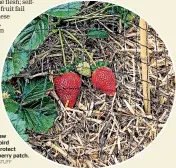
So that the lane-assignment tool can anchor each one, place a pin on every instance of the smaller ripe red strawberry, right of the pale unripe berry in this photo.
(103, 79)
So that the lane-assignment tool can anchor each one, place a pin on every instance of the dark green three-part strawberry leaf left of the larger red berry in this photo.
(36, 109)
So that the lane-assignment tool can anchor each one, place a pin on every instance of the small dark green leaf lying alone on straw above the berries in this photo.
(99, 34)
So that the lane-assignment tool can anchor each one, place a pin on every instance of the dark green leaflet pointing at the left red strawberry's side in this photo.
(36, 89)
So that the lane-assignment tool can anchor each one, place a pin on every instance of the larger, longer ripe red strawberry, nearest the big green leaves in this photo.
(67, 87)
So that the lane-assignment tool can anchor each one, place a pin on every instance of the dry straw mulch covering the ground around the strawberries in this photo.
(102, 130)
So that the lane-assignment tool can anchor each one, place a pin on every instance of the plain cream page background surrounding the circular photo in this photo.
(160, 14)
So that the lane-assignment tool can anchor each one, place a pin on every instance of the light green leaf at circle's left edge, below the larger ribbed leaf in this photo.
(14, 64)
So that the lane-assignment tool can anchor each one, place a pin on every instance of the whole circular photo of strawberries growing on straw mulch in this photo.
(88, 84)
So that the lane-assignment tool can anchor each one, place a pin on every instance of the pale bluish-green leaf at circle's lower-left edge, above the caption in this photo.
(19, 125)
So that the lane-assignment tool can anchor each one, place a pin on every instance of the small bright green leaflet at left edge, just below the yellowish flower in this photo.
(11, 105)
